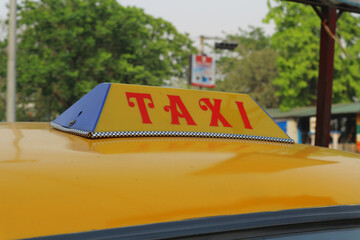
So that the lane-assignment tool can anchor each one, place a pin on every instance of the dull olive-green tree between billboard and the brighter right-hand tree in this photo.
(252, 69)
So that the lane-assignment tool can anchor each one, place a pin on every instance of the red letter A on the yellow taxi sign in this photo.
(175, 103)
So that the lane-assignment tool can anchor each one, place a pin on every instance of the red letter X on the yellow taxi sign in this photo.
(215, 112)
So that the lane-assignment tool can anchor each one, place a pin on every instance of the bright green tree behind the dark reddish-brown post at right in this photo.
(297, 40)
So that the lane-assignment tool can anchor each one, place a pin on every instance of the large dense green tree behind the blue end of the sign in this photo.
(67, 47)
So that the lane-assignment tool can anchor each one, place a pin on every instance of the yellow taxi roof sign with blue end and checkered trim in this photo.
(121, 110)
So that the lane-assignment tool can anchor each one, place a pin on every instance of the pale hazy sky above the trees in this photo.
(213, 18)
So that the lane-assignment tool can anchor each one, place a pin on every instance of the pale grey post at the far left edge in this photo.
(11, 66)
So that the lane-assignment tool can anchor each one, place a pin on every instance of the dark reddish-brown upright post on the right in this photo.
(326, 69)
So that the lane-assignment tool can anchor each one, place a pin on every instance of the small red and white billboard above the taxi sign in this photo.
(202, 71)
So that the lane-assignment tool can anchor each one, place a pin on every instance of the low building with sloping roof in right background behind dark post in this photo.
(300, 124)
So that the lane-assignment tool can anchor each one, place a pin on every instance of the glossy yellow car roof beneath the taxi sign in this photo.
(55, 183)
